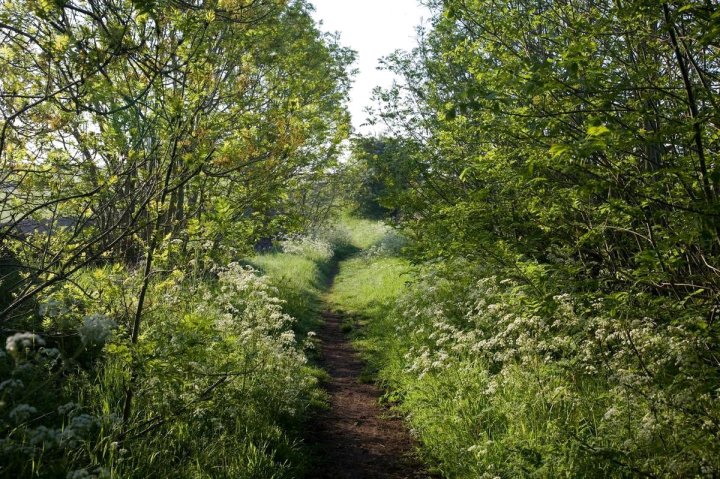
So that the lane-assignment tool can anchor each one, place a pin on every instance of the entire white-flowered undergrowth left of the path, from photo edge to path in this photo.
(221, 380)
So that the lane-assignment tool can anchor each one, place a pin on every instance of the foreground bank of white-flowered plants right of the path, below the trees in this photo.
(501, 380)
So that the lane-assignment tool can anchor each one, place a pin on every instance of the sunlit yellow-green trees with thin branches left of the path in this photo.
(138, 136)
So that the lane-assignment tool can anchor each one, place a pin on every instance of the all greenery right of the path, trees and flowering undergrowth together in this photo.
(559, 171)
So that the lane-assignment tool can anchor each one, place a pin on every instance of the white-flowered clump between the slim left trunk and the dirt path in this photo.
(224, 380)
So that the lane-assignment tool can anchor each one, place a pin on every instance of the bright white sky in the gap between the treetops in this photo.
(373, 28)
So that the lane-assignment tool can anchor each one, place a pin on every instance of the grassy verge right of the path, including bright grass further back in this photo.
(492, 380)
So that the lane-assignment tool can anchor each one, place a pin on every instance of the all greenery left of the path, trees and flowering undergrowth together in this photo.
(145, 149)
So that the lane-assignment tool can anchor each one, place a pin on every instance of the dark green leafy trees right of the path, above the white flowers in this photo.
(568, 145)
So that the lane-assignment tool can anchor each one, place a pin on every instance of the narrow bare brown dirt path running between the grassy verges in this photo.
(356, 438)
